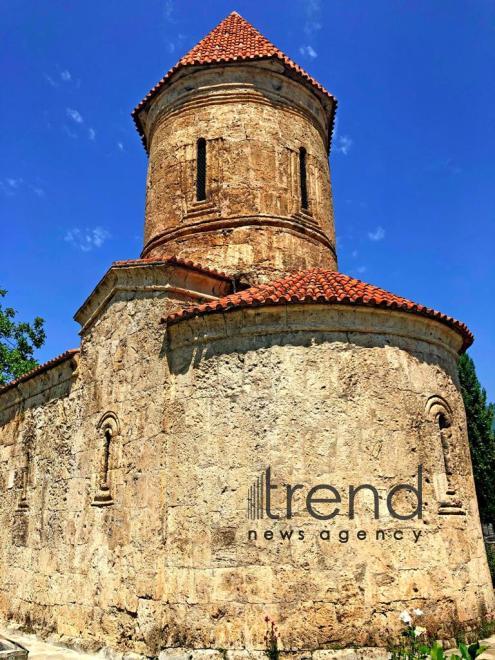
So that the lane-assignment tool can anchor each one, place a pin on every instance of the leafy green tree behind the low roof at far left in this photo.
(17, 343)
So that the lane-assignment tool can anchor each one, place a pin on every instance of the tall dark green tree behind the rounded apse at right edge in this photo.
(480, 420)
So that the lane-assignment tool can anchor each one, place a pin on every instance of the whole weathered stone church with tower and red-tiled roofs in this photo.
(125, 465)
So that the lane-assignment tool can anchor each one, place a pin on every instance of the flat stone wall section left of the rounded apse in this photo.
(82, 572)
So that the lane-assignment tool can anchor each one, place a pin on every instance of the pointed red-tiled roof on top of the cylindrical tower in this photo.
(232, 40)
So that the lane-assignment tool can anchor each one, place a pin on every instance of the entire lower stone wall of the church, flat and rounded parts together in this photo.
(202, 408)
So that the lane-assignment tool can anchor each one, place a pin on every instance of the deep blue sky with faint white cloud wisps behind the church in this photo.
(412, 163)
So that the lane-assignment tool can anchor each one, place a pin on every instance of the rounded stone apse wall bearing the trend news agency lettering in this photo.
(327, 396)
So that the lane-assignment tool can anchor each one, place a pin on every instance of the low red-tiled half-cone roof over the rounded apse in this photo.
(319, 286)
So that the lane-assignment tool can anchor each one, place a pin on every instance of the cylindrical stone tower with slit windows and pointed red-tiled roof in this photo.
(238, 178)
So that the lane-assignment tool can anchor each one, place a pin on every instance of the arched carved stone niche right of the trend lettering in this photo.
(440, 413)
